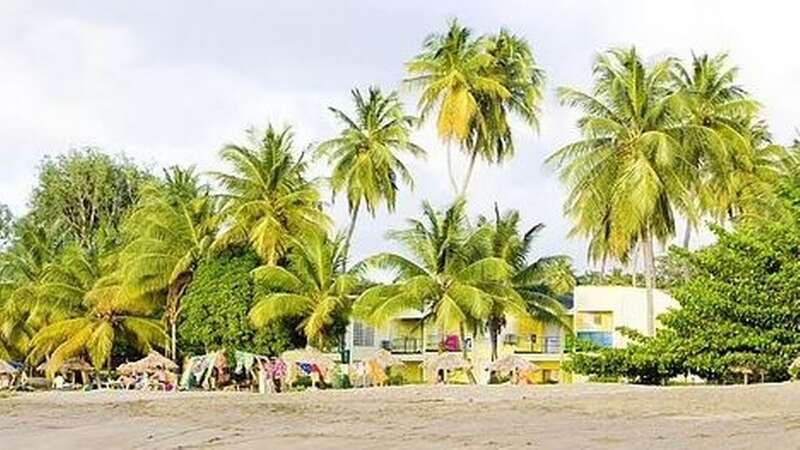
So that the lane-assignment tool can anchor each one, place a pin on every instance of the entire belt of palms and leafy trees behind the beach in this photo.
(112, 259)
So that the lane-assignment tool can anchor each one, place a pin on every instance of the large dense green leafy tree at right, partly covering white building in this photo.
(739, 309)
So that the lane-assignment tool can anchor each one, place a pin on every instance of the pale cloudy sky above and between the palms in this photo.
(172, 82)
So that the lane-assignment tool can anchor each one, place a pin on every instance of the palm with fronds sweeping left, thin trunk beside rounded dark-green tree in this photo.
(171, 231)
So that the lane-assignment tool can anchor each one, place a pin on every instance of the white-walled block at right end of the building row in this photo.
(600, 311)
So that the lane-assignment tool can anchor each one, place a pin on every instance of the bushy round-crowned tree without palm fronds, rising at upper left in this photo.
(86, 194)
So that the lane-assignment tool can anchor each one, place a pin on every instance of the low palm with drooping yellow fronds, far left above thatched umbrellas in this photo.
(112, 317)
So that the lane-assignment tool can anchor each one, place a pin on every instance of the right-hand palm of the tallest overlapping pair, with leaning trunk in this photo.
(511, 63)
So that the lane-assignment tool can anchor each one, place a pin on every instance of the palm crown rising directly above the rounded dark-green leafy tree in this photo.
(267, 199)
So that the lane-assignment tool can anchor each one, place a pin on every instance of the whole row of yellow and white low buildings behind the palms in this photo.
(597, 313)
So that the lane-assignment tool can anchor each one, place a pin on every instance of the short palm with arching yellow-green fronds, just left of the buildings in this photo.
(312, 286)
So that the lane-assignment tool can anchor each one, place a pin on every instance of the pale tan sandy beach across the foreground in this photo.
(413, 417)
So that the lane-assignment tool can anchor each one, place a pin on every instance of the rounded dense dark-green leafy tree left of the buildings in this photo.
(215, 308)
